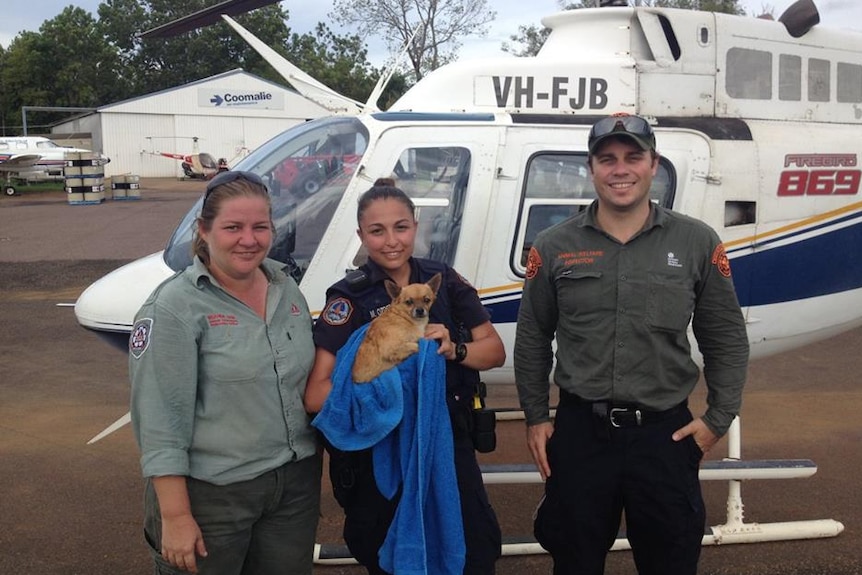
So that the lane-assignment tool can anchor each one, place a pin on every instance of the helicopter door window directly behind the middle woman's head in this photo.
(436, 180)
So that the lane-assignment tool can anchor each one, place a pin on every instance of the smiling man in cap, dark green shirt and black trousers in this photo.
(617, 286)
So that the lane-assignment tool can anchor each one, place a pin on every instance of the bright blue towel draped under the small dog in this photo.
(402, 413)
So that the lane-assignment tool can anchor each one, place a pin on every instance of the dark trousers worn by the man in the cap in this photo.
(599, 472)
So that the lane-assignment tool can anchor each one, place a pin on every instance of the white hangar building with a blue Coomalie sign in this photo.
(225, 115)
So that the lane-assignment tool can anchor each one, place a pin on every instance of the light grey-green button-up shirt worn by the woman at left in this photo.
(216, 390)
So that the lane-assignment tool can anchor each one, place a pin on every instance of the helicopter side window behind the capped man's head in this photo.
(558, 186)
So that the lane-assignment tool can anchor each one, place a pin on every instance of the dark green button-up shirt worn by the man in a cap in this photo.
(620, 313)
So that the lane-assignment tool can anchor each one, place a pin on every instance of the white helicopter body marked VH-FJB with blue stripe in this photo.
(758, 133)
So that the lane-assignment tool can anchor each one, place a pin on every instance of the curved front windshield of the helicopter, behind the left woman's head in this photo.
(307, 168)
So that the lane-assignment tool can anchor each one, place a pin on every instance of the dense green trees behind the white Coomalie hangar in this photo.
(75, 60)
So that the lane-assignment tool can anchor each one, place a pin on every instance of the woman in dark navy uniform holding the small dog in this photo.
(468, 341)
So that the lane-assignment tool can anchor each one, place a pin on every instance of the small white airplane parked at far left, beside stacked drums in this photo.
(34, 158)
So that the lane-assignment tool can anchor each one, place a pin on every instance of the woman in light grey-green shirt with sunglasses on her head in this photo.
(219, 356)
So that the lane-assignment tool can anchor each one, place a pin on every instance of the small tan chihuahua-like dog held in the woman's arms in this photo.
(394, 335)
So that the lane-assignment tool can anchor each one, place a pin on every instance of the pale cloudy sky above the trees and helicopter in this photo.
(16, 16)
